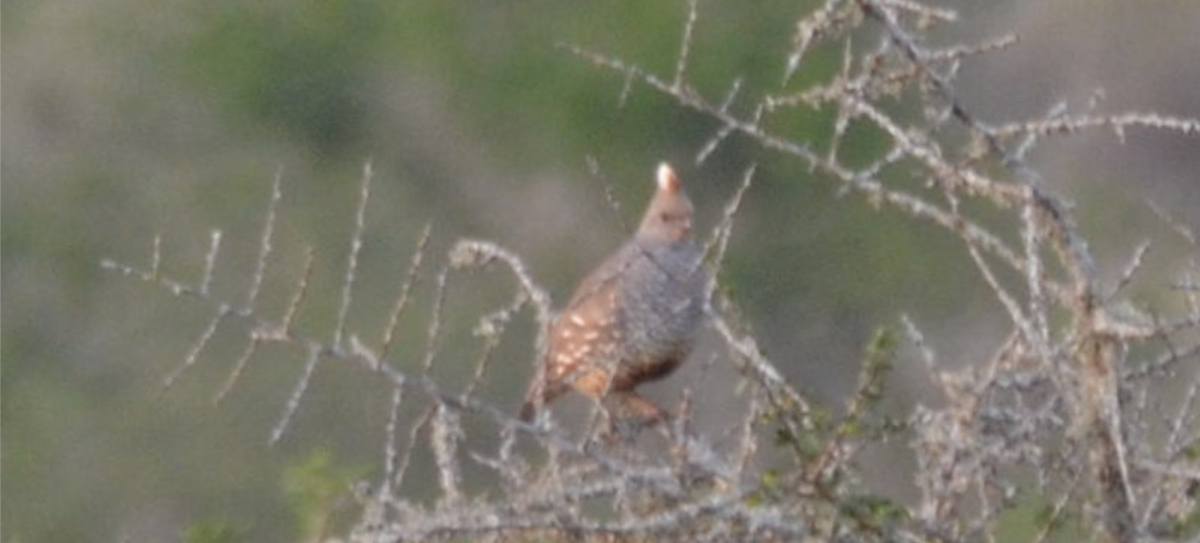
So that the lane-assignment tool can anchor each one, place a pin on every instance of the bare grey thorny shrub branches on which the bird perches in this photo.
(1069, 396)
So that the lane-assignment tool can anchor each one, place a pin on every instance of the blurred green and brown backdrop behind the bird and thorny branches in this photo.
(124, 118)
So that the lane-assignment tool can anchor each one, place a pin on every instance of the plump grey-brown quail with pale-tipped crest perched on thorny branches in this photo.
(634, 319)
